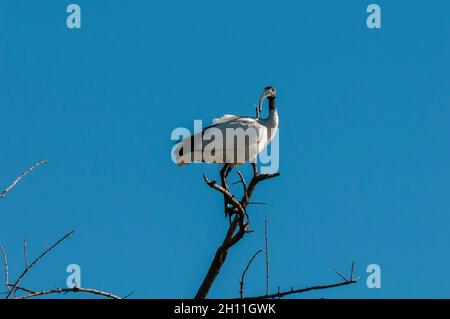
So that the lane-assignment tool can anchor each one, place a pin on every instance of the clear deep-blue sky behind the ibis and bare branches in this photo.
(364, 134)
